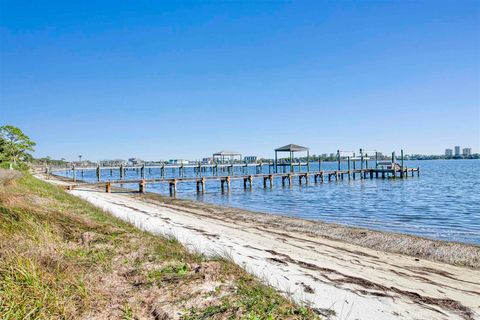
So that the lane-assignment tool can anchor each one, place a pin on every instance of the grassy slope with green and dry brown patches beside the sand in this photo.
(61, 257)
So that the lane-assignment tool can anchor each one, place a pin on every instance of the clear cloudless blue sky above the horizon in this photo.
(161, 80)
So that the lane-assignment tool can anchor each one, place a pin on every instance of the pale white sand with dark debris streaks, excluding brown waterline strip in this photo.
(353, 281)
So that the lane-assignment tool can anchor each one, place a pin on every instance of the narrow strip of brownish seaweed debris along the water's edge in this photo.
(445, 251)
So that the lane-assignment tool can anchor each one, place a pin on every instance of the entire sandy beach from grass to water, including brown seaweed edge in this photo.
(342, 279)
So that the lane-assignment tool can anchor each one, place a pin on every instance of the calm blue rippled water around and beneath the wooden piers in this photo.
(443, 203)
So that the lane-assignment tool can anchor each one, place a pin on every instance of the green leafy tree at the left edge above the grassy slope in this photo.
(14, 145)
